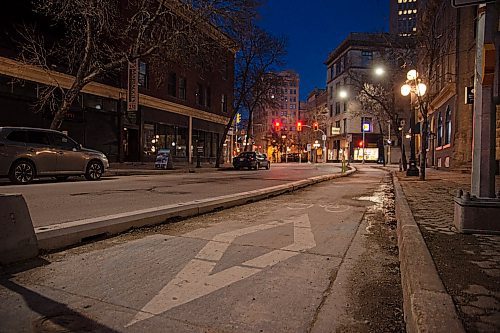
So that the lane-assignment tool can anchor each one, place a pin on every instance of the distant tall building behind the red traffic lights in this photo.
(275, 127)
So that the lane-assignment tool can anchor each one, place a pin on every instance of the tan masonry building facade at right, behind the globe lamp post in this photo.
(450, 117)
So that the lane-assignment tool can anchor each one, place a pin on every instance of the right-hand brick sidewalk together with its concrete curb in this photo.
(438, 264)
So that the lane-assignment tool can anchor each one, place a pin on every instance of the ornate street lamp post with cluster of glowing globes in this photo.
(413, 86)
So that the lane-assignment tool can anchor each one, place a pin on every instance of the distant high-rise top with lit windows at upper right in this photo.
(403, 17)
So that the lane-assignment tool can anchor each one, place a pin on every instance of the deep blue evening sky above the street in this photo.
(316, 27)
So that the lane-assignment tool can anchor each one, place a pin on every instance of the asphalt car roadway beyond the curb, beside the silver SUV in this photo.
(51, 202)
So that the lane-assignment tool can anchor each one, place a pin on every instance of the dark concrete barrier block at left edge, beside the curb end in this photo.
(17, 236)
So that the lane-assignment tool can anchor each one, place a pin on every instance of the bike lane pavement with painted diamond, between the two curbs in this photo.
(277, 265)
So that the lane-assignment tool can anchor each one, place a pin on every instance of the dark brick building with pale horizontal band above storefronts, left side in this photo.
(178, 107)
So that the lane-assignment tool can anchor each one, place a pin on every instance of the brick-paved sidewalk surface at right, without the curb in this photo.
(468, 265)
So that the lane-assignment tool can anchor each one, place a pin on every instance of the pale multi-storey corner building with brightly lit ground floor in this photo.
(346, 118)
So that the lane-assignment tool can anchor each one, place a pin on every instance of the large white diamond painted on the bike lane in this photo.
(195, 281)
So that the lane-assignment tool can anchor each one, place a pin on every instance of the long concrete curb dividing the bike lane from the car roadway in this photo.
(70, 233)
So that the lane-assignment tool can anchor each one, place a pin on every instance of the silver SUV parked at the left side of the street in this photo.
(26, 153)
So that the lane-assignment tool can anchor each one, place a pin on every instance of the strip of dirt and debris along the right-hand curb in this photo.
(375, 280)
